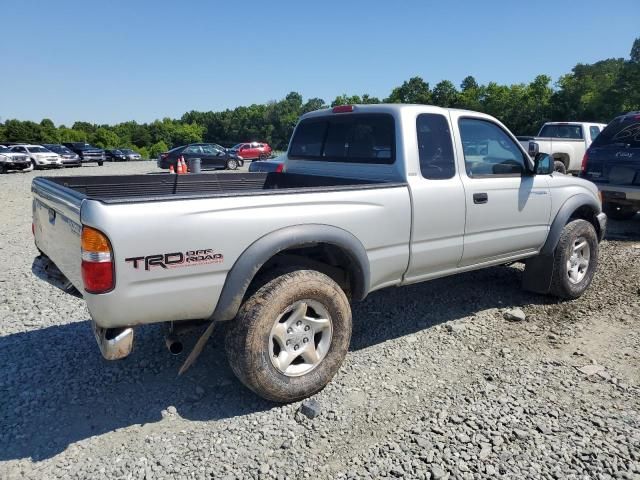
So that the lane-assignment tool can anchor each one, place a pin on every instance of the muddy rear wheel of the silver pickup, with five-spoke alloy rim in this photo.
(291, 336)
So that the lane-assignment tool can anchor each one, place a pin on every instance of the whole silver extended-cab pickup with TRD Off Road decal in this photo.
(370, 197)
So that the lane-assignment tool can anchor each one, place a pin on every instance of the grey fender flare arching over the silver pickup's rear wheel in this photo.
(262, 250)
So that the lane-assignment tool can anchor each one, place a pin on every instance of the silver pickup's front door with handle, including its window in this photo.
(508, 208)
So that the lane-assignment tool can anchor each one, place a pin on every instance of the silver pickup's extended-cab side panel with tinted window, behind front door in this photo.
(438, 199)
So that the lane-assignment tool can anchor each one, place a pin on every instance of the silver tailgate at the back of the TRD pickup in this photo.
(57, 228)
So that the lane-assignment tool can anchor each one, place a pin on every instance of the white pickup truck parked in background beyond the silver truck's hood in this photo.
(565, 142)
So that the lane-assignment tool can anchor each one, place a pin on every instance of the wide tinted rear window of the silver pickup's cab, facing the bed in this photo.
(356, 138)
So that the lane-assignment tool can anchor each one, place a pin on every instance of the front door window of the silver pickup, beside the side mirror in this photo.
(488, 150)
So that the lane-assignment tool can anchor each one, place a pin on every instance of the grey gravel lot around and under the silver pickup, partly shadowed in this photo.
(437, 385)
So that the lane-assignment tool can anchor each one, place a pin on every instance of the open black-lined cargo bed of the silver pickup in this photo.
(149, 188)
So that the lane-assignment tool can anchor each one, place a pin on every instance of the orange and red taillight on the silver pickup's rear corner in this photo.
(97, 261)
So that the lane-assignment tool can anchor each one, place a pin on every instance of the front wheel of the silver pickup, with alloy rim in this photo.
(575, 260)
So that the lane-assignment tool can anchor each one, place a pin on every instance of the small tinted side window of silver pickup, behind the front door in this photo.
(435, 149)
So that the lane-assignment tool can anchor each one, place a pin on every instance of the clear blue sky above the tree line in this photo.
(107, 62)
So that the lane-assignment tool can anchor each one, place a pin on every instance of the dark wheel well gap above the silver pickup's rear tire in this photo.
(326, 258)
